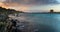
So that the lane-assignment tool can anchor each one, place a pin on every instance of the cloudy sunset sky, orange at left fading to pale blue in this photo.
(31, 5)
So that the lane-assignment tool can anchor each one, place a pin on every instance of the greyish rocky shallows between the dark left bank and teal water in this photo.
(23, 25)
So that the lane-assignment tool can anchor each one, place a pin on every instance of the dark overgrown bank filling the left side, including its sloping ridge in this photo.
(5, 24)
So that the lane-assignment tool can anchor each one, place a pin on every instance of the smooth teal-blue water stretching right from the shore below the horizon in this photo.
(43, 22)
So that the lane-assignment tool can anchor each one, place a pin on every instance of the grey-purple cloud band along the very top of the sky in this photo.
(34, 1)
